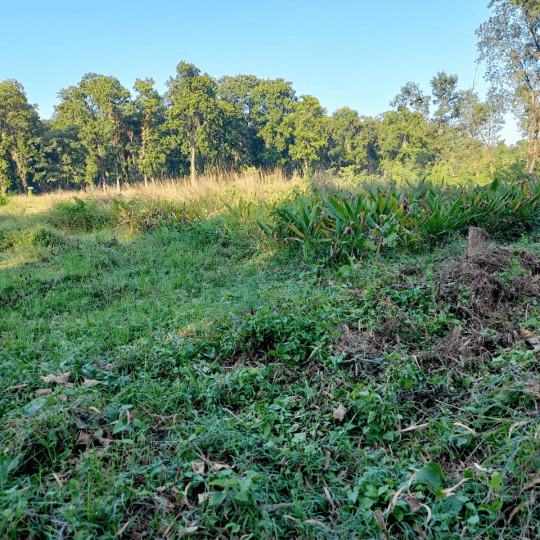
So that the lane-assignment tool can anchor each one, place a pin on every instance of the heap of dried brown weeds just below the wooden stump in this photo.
(488, 304)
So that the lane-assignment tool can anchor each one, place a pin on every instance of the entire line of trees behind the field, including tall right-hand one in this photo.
(102, 134)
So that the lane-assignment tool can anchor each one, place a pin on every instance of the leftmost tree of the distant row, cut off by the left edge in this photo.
(19, 128)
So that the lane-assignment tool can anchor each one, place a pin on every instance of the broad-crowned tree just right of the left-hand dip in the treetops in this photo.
(97, 106)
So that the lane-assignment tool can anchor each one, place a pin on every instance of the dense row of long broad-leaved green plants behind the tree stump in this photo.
(346, 225)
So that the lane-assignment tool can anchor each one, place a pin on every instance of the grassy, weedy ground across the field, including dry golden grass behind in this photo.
(166, 369)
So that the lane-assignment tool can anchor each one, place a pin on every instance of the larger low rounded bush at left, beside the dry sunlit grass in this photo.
(80, 215)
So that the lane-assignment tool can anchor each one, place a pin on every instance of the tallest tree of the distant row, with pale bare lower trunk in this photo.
(193, 108)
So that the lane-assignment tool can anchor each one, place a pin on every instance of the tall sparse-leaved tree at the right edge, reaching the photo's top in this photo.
(509, 43)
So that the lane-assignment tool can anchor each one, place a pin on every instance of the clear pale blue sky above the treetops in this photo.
(355, 53)
